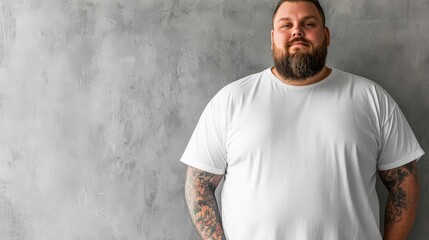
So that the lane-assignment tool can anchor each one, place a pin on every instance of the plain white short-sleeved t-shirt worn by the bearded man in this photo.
(300, 162)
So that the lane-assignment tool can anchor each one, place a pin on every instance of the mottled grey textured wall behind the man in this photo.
(98, 99)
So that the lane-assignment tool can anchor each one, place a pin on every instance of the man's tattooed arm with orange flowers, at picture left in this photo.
(200, 189)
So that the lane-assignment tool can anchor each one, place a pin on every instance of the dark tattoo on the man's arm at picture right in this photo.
(397, 201)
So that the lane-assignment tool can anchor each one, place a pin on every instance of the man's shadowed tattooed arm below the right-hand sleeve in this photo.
(401, 208)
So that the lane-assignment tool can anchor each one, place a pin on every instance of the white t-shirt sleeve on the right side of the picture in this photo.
(399, 145)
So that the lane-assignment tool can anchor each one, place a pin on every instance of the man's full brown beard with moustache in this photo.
(300, 66)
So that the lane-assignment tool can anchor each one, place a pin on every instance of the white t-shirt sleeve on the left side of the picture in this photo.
(206, 149)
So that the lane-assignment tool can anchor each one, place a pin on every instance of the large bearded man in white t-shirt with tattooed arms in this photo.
(299, 146)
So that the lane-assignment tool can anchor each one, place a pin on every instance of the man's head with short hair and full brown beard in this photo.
(299, 40)
